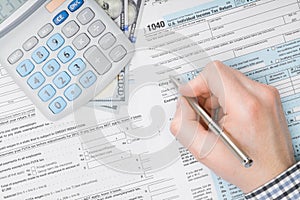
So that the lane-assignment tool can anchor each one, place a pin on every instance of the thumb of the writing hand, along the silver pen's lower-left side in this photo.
(203, 144)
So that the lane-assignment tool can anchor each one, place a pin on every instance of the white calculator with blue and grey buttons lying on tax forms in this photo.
(61, 53)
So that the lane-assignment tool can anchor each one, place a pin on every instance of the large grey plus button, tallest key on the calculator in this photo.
(97, 60)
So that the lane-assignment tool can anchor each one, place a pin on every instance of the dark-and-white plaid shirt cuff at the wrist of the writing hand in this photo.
(286, 186)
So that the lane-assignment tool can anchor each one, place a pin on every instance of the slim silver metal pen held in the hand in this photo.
(215, 128)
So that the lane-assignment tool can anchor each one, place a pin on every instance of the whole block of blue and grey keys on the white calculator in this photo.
(64, 77)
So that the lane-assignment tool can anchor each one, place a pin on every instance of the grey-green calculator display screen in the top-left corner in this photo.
(8, 7)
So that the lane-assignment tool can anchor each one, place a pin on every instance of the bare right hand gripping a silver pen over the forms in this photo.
(252, 114)
